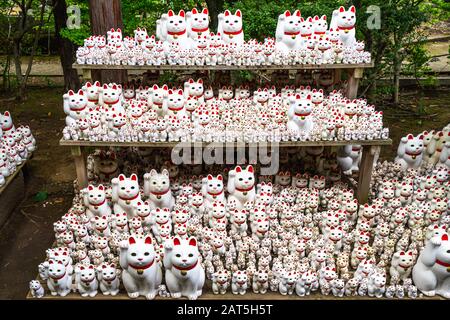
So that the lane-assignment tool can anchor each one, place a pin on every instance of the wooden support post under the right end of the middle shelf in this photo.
(365, 172)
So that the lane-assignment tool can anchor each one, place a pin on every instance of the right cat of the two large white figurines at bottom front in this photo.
(185, 275)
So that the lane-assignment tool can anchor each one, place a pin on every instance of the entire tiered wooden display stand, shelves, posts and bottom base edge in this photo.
(370, 148)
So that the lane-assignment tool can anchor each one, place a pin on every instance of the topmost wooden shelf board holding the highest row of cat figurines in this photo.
(222, 67)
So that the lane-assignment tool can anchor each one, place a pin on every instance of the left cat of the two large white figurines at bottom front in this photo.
(141, 273)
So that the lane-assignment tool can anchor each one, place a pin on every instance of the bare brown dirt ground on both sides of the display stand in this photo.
(29, 231)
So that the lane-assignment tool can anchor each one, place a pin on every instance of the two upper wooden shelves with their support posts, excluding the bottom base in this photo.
(354, 74)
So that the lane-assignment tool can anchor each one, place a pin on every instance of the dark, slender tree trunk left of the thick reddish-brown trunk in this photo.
(66, 48)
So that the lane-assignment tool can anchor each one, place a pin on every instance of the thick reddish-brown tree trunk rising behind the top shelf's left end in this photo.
(104, 15)
